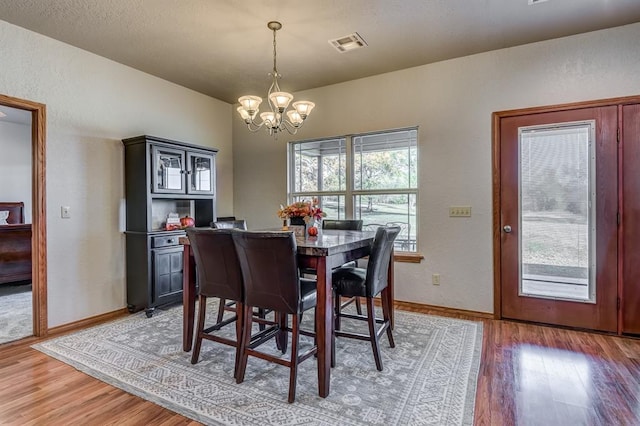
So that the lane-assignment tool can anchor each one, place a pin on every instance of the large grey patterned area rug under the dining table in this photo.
(429, 378)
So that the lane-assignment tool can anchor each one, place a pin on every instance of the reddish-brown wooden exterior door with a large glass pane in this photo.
(558, 217)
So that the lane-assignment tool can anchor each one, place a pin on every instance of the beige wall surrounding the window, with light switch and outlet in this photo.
(452, 103)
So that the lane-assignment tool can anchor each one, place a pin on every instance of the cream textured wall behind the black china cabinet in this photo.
(93, 103)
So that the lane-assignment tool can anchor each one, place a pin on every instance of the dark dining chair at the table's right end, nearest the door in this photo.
(351, 281)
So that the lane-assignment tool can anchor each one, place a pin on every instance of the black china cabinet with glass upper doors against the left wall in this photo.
(162, 177)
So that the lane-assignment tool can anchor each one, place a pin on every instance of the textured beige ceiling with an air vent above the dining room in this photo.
(223, 48)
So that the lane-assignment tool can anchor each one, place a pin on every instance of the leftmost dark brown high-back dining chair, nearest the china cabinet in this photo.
(219, 275)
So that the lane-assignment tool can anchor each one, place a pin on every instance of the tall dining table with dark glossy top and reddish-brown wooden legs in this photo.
(324, 252)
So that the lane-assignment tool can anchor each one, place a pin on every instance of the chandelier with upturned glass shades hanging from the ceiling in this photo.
(274, 120)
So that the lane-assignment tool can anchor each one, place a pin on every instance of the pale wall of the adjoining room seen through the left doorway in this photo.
(15, 165)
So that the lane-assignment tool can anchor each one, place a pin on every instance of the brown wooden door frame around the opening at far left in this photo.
(38, 209)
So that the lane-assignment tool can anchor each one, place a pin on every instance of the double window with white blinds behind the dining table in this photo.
(373, 177)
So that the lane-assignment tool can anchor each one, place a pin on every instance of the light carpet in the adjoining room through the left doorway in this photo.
(16, 313)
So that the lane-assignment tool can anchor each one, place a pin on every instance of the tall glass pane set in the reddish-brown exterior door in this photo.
(557, 208)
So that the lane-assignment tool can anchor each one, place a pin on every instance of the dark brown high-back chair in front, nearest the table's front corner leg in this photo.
(272, 280)
